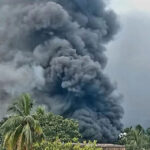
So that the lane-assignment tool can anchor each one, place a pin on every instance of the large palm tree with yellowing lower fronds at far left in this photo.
(21, 128)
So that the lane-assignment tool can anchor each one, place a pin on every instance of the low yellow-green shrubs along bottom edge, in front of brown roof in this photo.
(57, 145)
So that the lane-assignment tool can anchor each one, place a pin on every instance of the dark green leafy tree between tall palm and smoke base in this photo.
(55, 126)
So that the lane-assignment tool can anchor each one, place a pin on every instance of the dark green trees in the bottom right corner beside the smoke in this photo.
(136, 138)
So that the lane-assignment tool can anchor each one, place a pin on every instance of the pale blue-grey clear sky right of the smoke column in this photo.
(129, 59)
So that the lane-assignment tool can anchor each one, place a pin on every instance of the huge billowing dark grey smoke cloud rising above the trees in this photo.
(54, 49)
